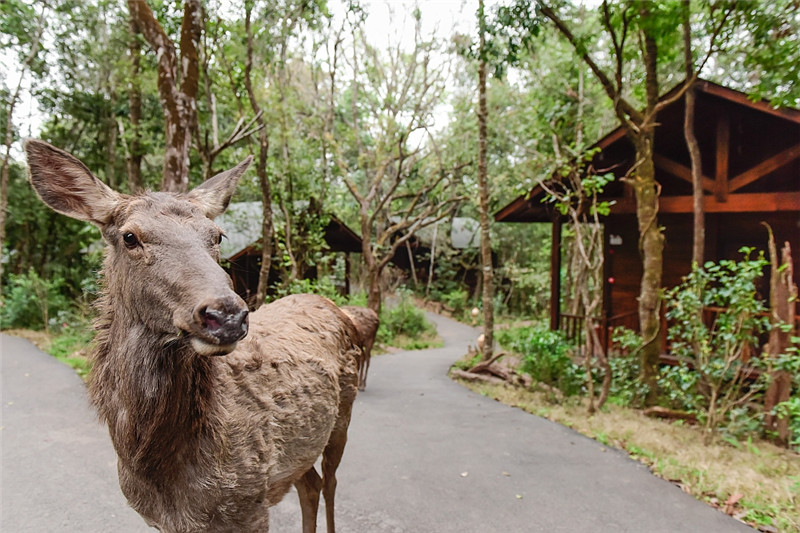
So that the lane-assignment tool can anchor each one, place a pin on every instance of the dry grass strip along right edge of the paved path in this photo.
(764, 476)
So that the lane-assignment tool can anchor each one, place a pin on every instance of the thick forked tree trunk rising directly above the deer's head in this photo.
(179, 102)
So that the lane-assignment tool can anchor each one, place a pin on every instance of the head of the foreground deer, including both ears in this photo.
(162, 266)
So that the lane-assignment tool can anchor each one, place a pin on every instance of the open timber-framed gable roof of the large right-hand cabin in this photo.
(750, 159)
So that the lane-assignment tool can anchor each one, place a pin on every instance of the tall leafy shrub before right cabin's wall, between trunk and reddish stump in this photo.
(716, 318)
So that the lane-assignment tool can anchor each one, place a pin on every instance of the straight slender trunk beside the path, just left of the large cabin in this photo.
(483, 184)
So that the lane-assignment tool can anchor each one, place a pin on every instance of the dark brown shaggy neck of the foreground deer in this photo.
(156, 395)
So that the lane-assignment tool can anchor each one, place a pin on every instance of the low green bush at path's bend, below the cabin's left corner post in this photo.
(546, 357)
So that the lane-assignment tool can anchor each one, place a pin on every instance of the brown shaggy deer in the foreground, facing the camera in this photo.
(214, 412)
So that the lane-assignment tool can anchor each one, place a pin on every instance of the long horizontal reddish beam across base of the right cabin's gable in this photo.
(769, 202)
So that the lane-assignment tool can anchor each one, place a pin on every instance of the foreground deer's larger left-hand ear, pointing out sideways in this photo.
(67, 186)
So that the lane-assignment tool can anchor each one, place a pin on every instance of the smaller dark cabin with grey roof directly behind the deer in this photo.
(241, 250)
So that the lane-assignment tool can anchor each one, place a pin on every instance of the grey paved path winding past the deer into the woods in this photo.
(413, 437)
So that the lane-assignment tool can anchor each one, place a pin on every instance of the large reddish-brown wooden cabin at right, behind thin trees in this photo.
(750, 155)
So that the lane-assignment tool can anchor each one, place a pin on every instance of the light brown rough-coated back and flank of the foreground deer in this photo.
(292, 370)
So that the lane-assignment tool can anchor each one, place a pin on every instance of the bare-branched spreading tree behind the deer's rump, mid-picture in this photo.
(393, 95)
